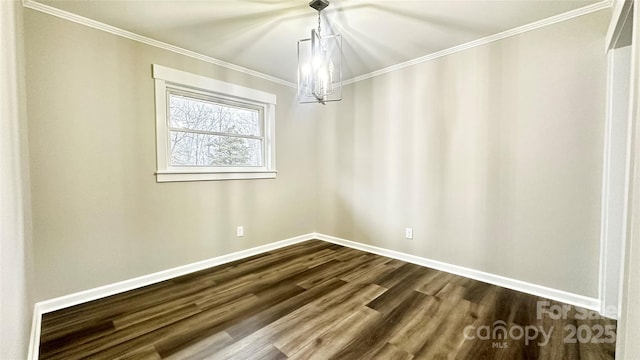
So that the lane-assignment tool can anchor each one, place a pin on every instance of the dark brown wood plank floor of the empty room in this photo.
(317, 300)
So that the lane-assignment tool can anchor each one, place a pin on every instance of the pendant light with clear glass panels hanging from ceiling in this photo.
(320, 64)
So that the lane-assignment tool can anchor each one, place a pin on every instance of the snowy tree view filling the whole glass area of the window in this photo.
(208, 133)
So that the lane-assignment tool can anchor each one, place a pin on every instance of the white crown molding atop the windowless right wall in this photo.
(489, 39)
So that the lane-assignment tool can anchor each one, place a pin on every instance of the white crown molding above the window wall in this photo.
(50, 10)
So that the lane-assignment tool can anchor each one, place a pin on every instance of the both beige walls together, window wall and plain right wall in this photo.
(493, 155)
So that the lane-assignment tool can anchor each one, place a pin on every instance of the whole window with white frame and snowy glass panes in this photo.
(212, 130)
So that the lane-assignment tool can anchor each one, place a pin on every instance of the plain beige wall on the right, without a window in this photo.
(493, 155)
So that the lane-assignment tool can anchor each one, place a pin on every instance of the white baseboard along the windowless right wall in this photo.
(522, 286)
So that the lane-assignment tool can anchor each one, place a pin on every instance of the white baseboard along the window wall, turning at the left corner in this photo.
(62, 302)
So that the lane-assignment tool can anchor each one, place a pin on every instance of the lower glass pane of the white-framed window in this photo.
(192, 149)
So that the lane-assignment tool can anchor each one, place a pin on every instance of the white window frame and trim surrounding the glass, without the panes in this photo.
(170, 80)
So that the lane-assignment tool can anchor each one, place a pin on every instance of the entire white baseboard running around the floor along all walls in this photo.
(46, 306)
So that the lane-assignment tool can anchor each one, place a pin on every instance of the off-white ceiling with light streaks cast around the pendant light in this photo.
(262, 34)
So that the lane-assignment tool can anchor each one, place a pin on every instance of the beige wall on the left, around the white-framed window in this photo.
(98, 214)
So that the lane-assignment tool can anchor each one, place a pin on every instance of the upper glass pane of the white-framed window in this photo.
(196, 114)
